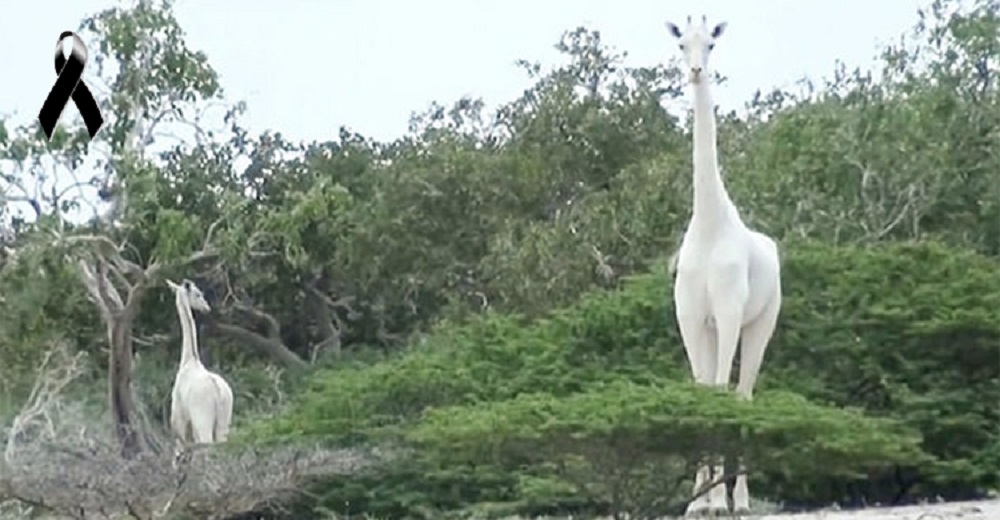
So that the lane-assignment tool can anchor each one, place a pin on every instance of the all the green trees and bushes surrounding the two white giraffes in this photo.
(484, 302)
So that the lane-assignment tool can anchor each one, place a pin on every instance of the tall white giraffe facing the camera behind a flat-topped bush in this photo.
(727, 288)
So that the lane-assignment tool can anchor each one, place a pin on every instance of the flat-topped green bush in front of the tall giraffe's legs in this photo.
(616, 430)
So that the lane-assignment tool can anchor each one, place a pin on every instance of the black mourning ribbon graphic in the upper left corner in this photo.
(68, 86)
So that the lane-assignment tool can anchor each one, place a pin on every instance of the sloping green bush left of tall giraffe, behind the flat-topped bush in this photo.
(497, 357)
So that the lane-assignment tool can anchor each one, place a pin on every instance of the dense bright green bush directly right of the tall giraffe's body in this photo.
(862, 329)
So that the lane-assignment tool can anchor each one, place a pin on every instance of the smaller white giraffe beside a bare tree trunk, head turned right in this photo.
(201, 400)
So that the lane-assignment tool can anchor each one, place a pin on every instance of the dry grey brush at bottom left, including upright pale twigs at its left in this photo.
(61, 462)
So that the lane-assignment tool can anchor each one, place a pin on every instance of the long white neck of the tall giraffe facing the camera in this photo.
(711, 202)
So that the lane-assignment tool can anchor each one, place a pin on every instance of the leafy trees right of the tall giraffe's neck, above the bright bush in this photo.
(907, 151)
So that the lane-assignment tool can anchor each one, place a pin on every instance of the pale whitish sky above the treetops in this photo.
(307, 67)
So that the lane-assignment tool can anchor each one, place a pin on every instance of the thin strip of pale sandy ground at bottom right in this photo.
(973, 510)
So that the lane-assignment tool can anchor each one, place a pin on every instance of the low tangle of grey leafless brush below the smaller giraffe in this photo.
(86, 477)
